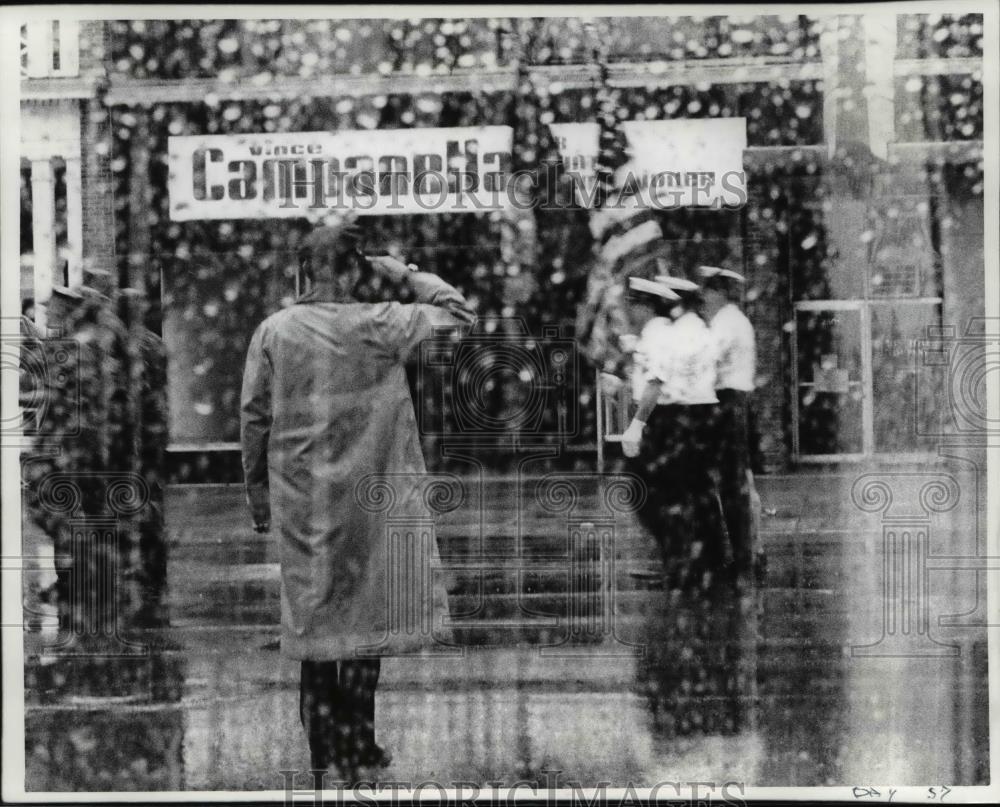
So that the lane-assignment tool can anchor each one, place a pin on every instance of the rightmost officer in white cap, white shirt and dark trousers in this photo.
(735, 372)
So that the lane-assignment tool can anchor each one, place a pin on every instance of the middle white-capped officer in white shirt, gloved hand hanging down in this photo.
(670, 439)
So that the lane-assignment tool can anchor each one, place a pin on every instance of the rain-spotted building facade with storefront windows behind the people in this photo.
(861, 238)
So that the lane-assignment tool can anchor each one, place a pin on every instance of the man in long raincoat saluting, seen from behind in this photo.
(325, 403)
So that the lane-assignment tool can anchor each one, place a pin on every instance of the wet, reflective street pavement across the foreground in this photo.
(542, 671)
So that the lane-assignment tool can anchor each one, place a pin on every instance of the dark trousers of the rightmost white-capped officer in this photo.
(733, 464)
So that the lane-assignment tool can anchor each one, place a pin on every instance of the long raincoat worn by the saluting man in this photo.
(328, 433)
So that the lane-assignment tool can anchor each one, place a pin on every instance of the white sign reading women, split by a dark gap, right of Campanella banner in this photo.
(674, 163)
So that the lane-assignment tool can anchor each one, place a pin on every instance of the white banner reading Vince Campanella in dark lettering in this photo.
(383, 172)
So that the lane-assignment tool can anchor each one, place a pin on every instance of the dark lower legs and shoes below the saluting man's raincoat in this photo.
(337, 706)
